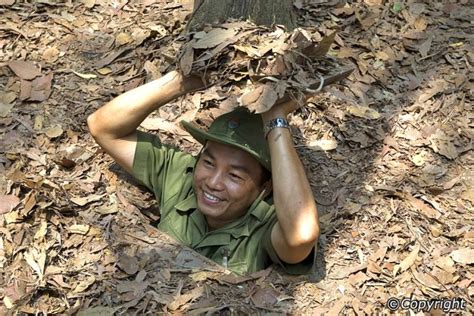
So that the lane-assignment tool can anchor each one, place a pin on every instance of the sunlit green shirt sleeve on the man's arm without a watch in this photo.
(161, 168)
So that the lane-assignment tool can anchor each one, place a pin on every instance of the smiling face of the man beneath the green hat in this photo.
(227, 180)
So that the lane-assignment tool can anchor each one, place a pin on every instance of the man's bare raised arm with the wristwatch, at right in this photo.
(297, 230)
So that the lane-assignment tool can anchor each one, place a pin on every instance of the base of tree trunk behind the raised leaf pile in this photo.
(261, 12)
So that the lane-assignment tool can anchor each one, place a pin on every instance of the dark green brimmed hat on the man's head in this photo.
(238, 128)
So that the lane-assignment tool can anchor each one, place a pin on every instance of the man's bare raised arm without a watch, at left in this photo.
(114, 125)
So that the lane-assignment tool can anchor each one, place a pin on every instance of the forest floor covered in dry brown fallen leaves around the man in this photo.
(394, 186)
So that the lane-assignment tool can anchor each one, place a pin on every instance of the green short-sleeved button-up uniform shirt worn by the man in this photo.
(243, 246)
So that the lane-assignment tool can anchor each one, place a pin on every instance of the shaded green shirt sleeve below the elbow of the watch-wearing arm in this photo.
(304, 267)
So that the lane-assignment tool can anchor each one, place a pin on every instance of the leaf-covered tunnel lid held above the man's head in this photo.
(267, 64)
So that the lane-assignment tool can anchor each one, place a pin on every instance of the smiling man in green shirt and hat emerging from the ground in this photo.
(244, 202)
